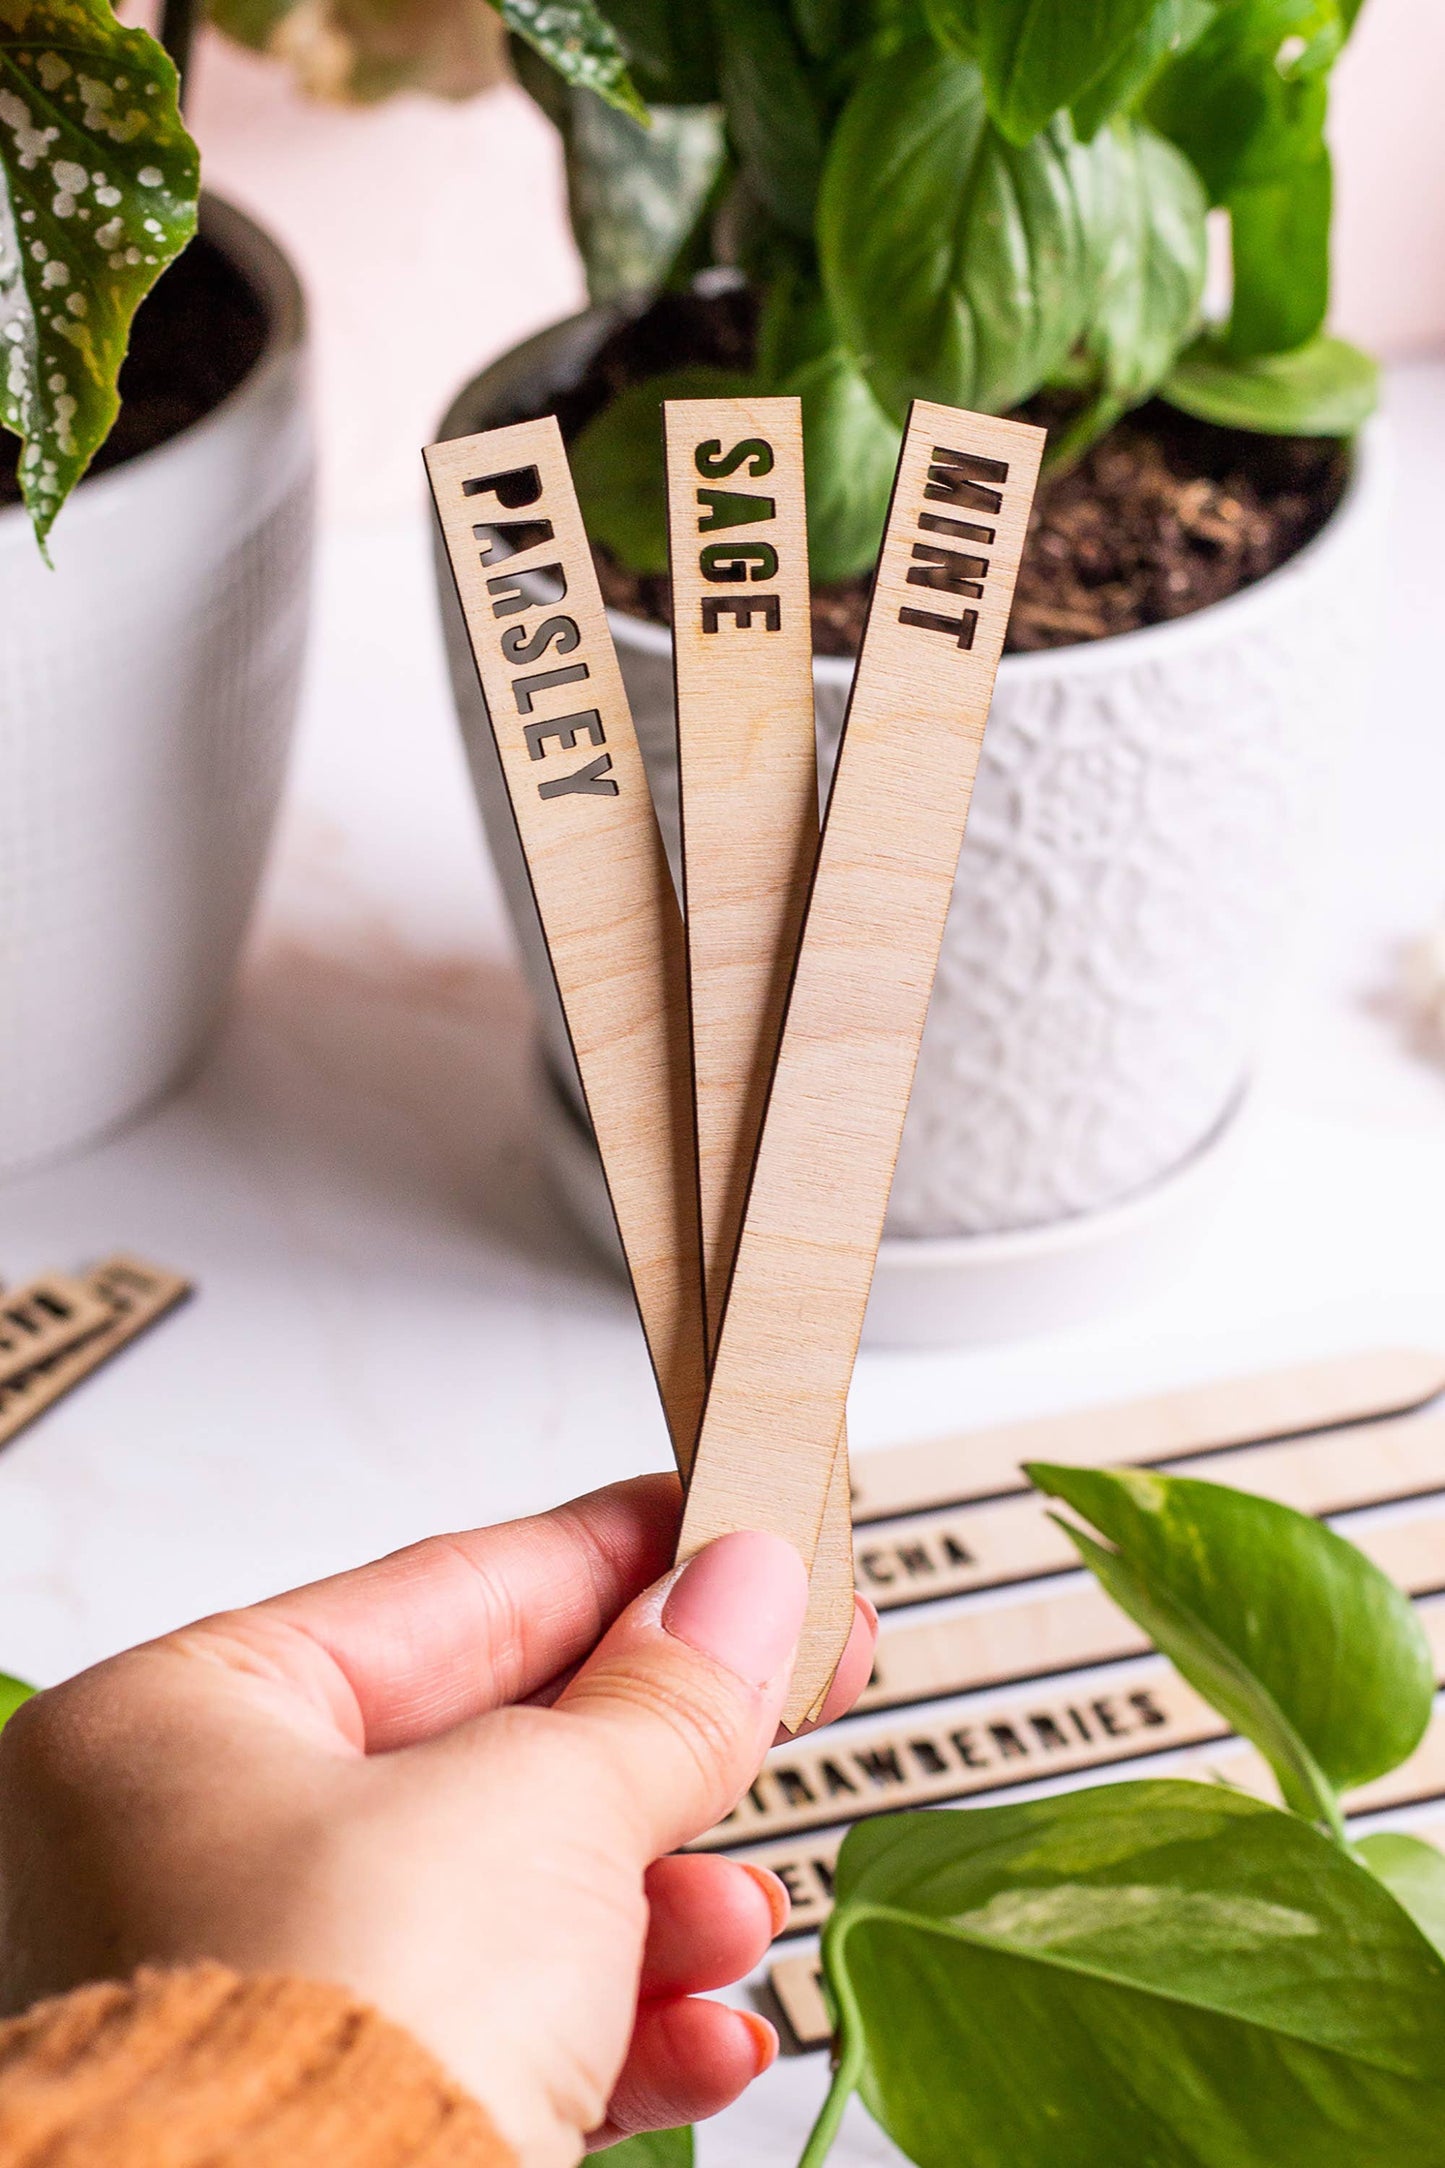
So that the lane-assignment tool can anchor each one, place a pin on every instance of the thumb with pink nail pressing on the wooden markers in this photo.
(681, 1701)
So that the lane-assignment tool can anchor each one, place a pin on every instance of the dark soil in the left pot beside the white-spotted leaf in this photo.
(198, 335)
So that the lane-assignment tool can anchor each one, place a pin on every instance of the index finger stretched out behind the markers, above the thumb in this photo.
(450, 1629)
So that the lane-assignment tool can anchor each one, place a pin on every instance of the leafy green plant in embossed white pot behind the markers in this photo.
(1006, 207)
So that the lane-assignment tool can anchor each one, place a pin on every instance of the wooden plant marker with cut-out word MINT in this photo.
(863, 979)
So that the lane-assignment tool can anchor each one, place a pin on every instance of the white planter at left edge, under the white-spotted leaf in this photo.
(146, 699)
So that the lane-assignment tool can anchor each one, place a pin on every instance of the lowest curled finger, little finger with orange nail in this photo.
(688, 2063)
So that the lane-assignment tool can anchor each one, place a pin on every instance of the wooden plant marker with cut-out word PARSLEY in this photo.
(610, 916)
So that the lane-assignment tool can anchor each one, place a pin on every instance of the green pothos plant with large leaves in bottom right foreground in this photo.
(1164, 1972)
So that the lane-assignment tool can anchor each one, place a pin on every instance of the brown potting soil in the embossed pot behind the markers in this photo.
(1162, 517)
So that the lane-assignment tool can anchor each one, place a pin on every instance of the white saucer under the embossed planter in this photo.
(965, 1291)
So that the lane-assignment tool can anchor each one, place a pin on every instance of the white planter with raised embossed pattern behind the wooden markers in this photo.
(1136, 853)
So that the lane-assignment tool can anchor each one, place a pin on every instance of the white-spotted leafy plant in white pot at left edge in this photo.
(148, 675)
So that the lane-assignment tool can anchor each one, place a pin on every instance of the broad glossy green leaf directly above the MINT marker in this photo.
(956, 266)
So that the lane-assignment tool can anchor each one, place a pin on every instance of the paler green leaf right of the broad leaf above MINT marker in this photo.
(1147, 229)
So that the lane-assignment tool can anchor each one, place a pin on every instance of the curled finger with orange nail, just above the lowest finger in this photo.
(710, 1922)
